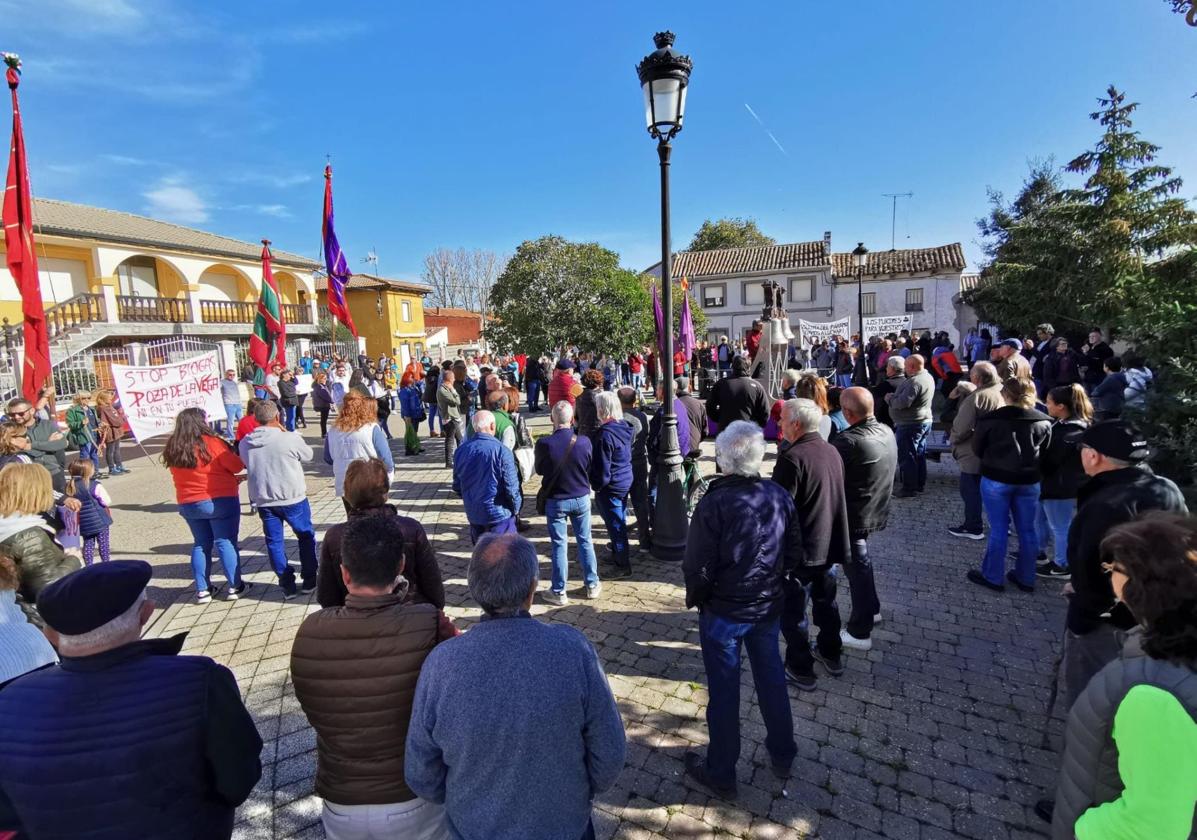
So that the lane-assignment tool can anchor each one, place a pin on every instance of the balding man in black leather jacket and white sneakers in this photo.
(871, 460)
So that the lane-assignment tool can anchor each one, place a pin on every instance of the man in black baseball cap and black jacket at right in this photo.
(1121, 488)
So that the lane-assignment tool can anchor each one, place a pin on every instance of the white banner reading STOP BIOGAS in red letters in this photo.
(155, 394)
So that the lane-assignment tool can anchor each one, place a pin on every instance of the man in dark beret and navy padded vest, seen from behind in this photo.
(124, 738)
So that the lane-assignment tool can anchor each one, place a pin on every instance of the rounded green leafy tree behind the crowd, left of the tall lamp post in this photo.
(555, 294)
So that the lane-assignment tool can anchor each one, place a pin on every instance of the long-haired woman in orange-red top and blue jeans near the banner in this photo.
(205, 470)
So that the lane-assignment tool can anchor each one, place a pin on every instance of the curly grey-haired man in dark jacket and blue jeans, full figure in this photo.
(743, 541)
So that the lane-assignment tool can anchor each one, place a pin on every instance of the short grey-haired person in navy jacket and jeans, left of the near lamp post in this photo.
(611, 476)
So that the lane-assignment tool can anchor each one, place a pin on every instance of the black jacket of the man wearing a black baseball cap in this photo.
(1109, 500)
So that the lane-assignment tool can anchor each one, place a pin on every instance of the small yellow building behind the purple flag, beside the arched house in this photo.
(388, 314)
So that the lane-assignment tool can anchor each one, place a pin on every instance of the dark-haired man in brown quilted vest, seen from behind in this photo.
(355, 671)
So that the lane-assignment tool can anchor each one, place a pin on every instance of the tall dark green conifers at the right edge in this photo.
(1117, 252)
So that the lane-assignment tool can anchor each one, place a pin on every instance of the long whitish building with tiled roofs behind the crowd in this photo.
(822, 285)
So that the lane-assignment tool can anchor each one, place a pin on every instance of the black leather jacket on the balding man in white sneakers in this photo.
(871, 460)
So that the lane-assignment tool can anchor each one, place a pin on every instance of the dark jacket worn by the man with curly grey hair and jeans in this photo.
(744, 539)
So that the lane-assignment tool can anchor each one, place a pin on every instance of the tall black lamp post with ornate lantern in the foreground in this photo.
(665, 77)
